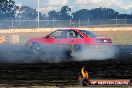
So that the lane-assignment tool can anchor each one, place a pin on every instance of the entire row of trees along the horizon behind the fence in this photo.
(9, 10)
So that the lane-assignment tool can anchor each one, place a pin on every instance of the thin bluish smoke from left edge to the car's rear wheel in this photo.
(23, 54)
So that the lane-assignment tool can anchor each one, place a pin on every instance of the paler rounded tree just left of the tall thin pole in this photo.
(27, 13)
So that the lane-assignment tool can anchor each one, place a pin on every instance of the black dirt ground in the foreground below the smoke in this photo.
(64, 73)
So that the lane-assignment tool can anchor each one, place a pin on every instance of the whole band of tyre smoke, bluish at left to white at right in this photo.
(22, 54)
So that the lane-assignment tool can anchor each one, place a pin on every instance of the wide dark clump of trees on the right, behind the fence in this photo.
(96, 13)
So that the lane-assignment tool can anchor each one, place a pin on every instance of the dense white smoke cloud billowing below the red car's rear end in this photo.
(96, 54)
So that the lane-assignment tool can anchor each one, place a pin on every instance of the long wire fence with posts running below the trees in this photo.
(28, 24)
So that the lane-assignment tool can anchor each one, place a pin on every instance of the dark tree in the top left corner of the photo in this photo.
(7, 9)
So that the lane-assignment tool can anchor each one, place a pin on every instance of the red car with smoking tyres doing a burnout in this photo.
(67, 41)
